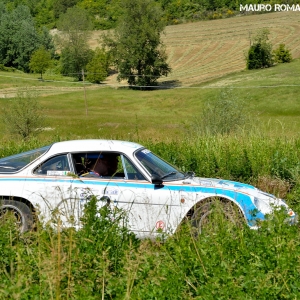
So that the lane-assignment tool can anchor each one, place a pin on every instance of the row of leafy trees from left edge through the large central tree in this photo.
(134, 49)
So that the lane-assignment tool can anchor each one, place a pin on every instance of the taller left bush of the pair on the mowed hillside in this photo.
(260, 52)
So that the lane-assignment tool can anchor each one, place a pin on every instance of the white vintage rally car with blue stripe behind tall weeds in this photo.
(56, 180)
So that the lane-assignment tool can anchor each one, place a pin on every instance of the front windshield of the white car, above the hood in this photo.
(156, 166)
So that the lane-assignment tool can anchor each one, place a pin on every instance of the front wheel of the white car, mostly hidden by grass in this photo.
(214, 214)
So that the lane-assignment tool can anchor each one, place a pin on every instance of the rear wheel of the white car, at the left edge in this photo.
(21, 212)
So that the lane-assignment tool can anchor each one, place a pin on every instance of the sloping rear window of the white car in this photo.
(15, 163)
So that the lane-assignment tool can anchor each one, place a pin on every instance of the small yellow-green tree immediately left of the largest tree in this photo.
(97, 68)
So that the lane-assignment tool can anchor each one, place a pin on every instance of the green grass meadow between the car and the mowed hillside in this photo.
(75, 111)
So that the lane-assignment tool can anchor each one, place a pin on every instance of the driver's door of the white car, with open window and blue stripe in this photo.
(145, 206)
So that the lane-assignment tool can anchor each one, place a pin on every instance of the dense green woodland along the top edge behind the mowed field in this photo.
(106, 13)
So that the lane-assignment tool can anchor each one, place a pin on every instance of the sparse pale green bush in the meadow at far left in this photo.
(23, 115)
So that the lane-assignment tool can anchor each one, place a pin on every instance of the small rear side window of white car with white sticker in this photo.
(55, 166)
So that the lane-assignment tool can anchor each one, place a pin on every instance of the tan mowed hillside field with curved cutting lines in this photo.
(201, 51)
